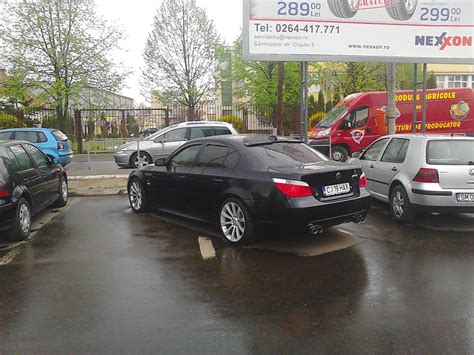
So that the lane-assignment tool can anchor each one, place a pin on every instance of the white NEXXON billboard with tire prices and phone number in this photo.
(423, 31)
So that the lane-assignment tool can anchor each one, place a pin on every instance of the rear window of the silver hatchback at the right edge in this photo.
(450, 152)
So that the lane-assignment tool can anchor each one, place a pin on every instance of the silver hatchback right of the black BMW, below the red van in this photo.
(420, 173)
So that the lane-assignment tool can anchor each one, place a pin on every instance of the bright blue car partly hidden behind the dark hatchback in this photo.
(52, 142)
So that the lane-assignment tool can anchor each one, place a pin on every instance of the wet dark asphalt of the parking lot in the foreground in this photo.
(100, 279)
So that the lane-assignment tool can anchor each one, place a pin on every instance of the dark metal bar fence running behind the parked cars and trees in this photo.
(103, 130)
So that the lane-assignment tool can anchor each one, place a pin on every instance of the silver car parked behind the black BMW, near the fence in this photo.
(167, 140)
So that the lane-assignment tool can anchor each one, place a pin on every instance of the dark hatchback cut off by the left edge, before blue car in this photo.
(29, 182)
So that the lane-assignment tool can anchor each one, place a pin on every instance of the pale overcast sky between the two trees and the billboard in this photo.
(137, 17)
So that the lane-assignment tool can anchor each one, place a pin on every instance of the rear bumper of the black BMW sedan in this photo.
(299, 212)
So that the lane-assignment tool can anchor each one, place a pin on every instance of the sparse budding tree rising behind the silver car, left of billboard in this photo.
(180, 54)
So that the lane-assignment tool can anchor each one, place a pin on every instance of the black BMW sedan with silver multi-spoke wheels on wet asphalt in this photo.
(241, 182)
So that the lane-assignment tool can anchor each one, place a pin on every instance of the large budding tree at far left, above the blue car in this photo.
(59, 48)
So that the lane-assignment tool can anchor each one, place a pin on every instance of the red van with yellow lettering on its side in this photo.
(359, 119)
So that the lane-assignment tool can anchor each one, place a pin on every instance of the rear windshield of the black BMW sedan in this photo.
(286, 154)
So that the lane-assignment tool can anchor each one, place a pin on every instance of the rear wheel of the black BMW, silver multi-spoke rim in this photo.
(236, 222)
